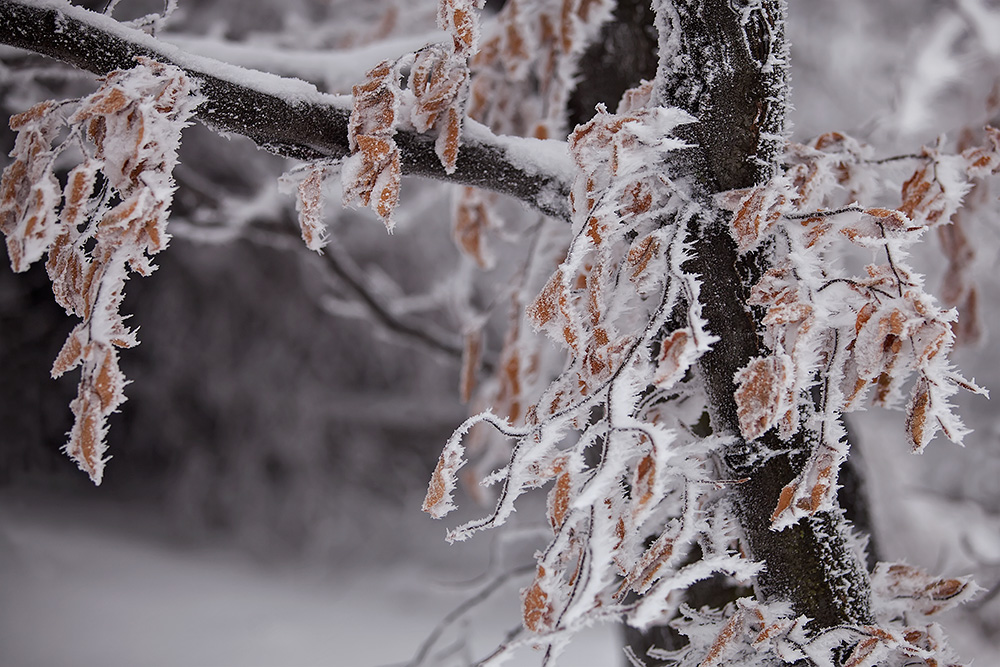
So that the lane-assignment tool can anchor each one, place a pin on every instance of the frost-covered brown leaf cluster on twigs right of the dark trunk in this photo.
(857, 336)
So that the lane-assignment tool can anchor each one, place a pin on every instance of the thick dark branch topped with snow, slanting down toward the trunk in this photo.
(286, 116)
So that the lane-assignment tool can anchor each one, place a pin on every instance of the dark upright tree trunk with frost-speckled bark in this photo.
(718, 67)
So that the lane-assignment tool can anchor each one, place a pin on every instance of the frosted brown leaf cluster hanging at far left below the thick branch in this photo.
(128, 131)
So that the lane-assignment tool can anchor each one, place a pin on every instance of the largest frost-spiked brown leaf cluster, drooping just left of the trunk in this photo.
(614, 277)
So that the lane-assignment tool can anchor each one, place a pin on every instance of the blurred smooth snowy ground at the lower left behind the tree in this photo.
(112, 591)
